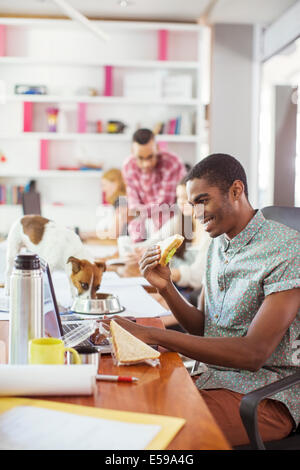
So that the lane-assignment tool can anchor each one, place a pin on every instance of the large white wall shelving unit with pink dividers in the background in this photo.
(67, 59)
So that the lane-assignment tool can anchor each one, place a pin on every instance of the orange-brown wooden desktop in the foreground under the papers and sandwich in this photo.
(166, 390)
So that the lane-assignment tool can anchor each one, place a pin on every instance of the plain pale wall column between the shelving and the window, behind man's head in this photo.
(235, 97)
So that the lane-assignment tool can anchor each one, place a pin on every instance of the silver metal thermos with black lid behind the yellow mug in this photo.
(26, 306)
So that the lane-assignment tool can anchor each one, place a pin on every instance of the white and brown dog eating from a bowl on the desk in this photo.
(61, 248)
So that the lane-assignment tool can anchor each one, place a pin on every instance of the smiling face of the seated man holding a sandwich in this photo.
(212, 207)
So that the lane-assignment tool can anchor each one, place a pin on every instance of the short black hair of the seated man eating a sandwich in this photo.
(221, 170)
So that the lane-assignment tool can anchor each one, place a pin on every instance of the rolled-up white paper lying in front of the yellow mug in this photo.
(27, 380)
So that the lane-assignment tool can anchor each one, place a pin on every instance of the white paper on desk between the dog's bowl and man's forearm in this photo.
(137, 301)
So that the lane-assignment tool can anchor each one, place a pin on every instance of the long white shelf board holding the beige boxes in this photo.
(98, 99)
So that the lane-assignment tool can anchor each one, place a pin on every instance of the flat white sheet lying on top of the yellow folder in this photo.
(34, 428)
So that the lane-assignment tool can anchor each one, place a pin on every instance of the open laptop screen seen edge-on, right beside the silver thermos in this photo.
(52, 322)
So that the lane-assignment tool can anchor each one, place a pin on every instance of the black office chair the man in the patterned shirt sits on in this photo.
(289, 216)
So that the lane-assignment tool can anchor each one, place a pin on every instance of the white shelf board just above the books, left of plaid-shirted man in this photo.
(52, 174)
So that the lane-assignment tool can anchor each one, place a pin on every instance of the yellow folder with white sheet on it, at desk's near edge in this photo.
(82, 427)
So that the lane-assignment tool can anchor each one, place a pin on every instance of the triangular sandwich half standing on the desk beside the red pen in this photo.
(128, 349)
